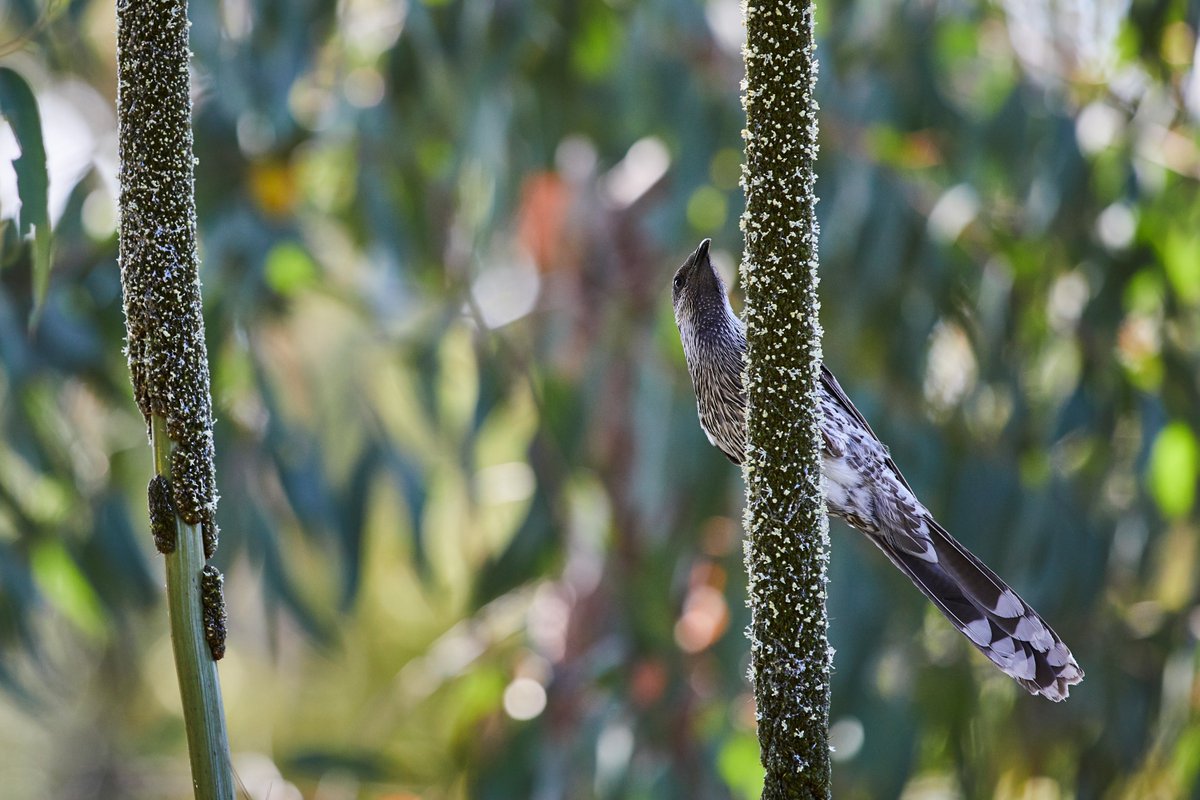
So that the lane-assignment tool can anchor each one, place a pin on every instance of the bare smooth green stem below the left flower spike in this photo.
(199, 684)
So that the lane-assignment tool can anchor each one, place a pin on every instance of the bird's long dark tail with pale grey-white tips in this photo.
(989, 613)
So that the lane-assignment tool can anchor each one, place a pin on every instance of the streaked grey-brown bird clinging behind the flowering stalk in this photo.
(866, 489)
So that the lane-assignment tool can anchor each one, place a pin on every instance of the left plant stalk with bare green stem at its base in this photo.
(166, 351)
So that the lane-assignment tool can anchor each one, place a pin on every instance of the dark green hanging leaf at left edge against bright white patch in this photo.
(20, 107)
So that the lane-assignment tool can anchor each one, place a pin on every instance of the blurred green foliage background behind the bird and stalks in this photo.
(477, 545)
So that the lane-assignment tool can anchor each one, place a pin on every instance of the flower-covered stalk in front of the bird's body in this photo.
(788, 548)
